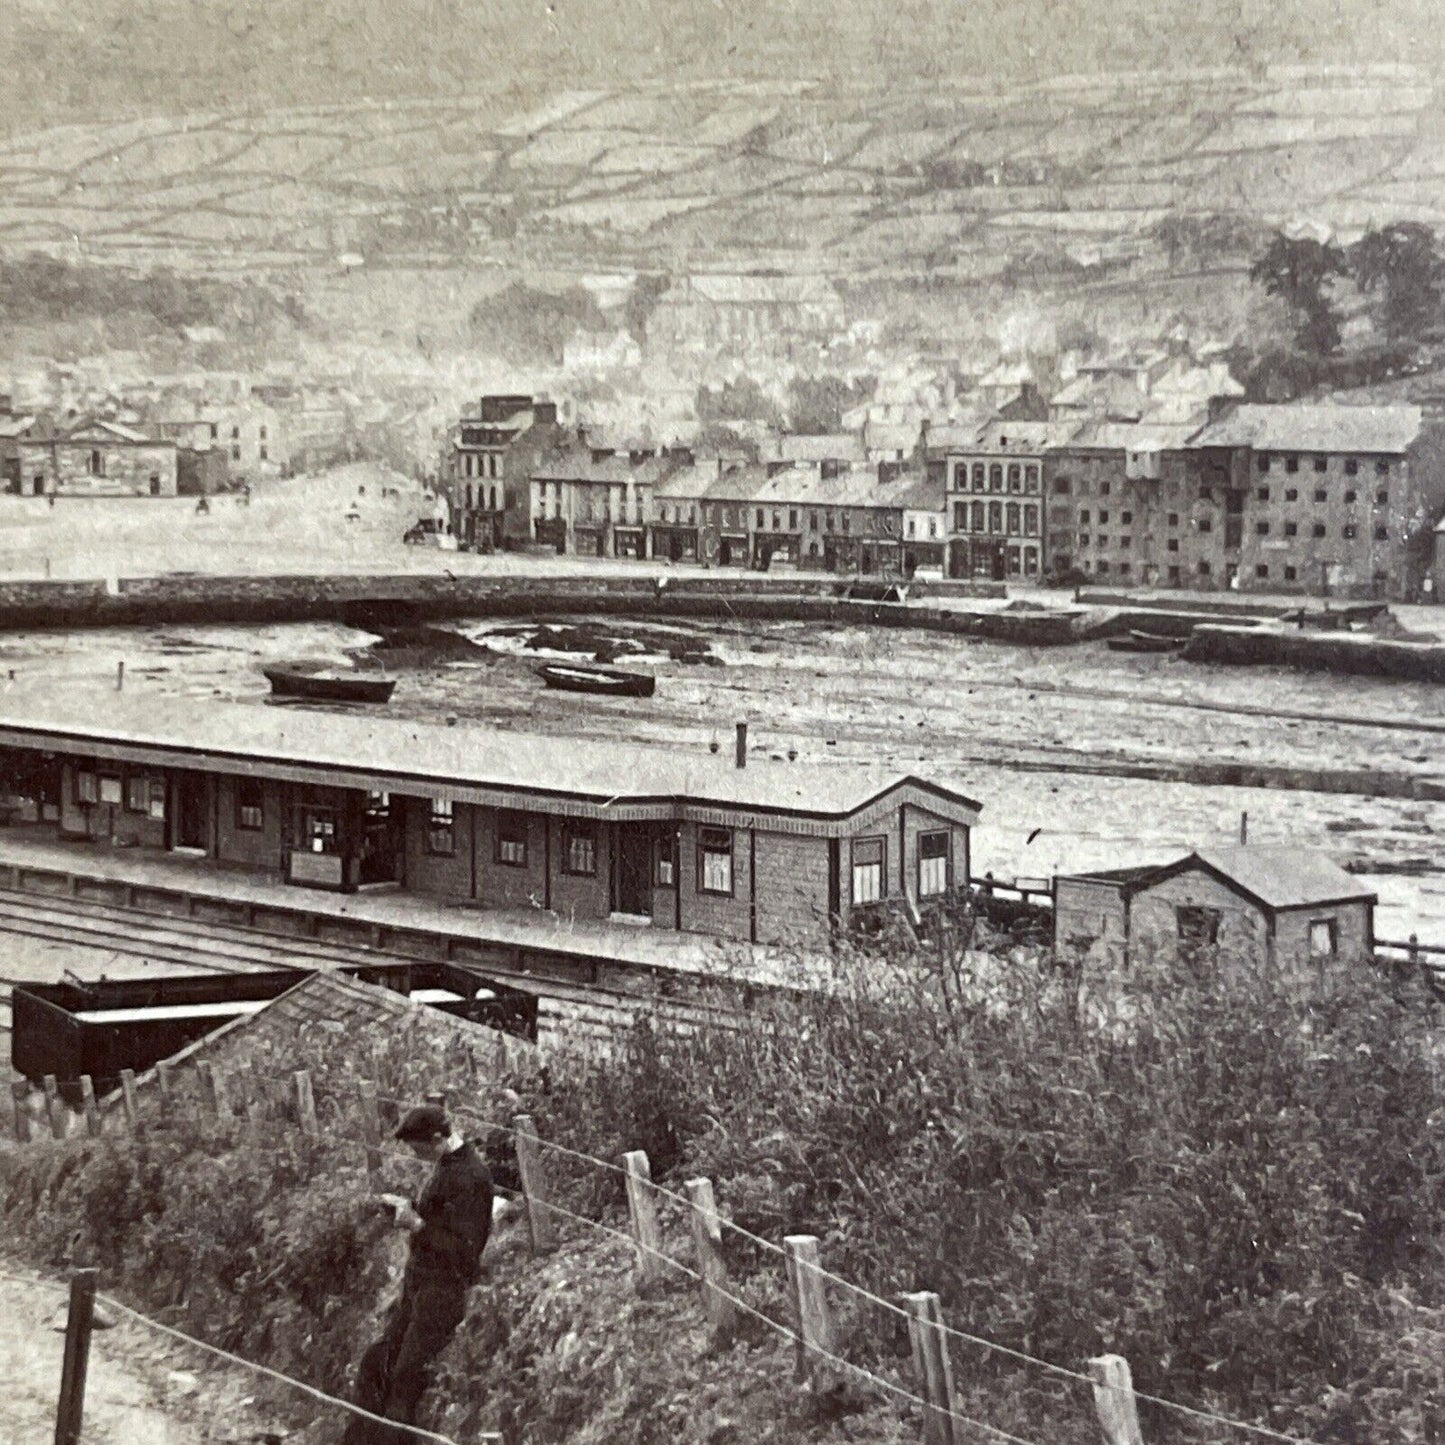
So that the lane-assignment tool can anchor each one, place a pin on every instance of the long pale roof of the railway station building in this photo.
(469, 764)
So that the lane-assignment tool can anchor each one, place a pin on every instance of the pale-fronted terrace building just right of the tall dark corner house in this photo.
(596, 506)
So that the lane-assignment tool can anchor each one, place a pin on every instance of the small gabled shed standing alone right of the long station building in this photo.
(1277, 907)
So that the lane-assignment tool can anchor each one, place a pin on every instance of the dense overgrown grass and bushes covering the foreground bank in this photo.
(1236, 1189)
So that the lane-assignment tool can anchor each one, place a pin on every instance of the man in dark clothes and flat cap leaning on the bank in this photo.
(449, 1225)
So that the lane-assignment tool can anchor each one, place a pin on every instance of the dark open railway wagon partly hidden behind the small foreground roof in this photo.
(70, 1030)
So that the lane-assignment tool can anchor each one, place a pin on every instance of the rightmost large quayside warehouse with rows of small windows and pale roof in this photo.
(1317, 499)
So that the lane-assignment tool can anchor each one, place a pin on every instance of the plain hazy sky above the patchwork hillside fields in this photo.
(82, 60)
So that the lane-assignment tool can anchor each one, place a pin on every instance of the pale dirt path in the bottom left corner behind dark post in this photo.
(122, 1404)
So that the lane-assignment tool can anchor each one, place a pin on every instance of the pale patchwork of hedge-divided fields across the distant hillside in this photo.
(626, 176)
